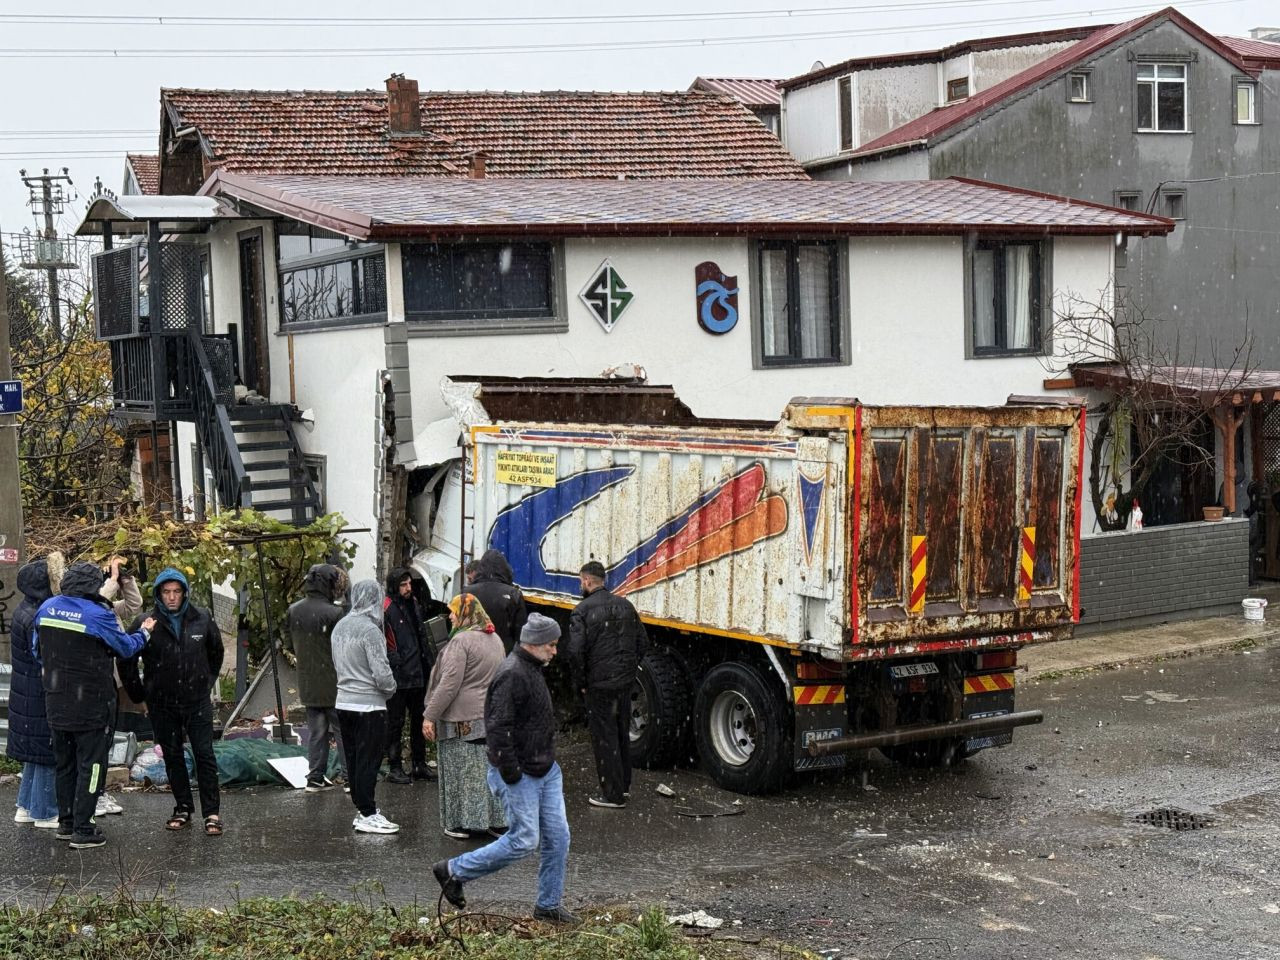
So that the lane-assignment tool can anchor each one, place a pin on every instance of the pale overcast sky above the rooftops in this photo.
(72, 107)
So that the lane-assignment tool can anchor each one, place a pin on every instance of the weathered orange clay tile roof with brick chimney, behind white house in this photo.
(545, 135)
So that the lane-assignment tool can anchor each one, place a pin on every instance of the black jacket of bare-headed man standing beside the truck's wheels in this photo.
(606, 642)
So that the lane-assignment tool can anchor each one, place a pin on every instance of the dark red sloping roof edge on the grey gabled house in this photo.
(925, 129)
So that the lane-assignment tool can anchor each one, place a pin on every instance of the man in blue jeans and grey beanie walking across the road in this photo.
(520, 737)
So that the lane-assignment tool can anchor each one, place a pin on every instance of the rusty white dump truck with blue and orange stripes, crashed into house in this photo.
(844, 579)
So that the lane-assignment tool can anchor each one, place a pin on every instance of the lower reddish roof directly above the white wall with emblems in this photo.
(401, 207)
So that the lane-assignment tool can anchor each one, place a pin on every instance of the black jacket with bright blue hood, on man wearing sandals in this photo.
(182, 662)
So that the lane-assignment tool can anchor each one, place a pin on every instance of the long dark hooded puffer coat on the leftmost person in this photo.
(30, 740)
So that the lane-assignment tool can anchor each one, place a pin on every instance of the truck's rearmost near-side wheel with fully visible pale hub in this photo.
(744, 738)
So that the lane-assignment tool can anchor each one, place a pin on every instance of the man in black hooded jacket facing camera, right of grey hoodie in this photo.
(412, 657)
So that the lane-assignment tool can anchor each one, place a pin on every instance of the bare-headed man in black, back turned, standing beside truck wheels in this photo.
(606, 643)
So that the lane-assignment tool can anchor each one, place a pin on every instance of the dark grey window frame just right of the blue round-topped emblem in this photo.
(839, 292)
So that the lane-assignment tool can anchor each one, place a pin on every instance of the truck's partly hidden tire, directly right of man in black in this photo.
(662, 702)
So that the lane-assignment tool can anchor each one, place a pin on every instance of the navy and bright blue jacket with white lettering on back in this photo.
(77, 642)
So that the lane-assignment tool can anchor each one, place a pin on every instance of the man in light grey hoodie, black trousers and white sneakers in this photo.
(365, 683)
